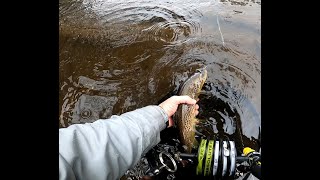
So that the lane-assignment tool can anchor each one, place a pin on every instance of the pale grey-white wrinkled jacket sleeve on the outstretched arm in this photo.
(105, 149)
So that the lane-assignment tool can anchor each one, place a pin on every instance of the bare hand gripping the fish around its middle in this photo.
(170, 105)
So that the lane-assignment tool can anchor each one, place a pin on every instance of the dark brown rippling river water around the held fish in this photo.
(119, 55)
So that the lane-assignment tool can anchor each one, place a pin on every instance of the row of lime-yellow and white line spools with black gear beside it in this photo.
(218, 158)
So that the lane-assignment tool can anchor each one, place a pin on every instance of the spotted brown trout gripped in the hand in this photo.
(186, 119)
